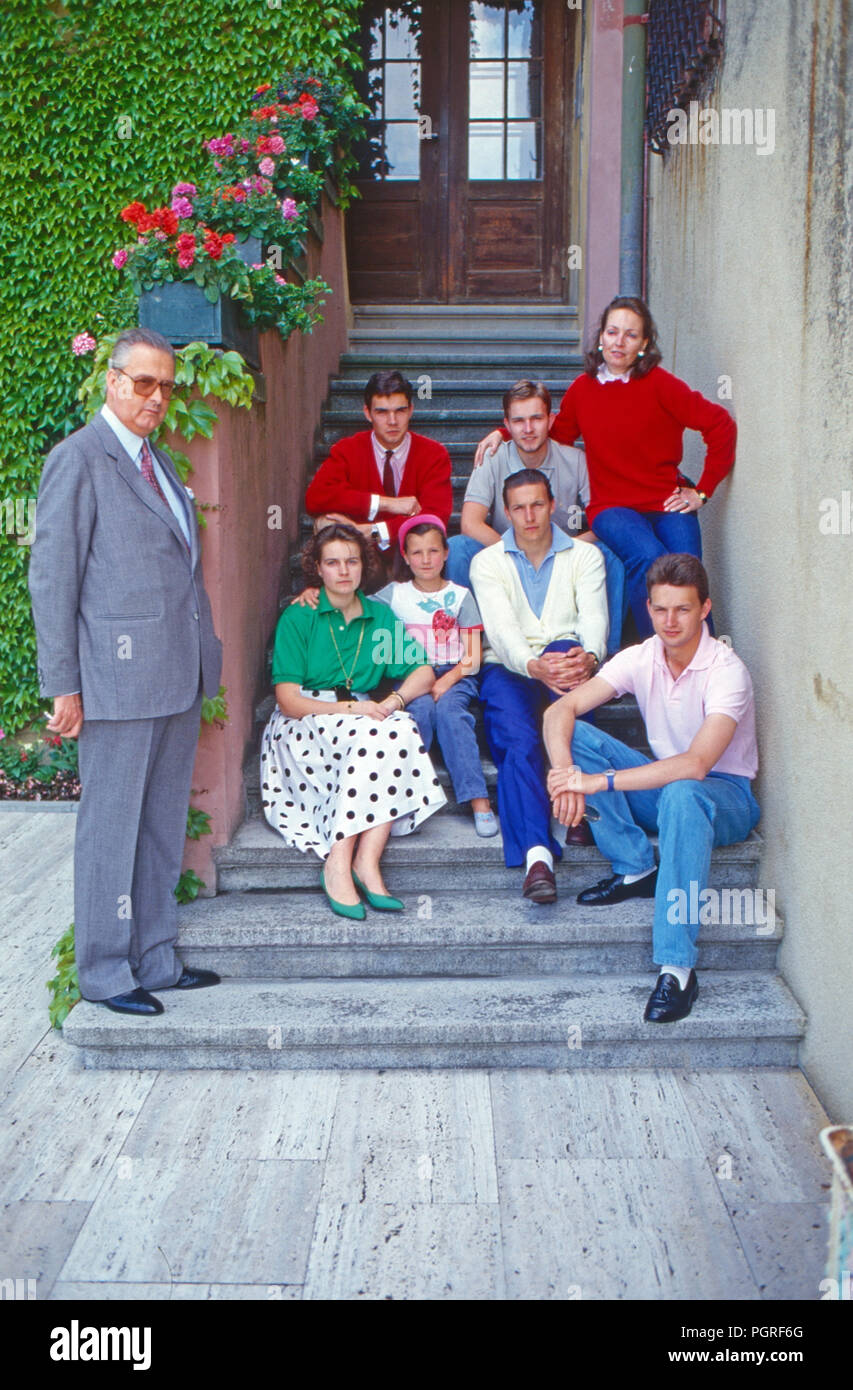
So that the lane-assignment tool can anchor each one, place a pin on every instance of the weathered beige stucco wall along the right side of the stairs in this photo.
(751, 263)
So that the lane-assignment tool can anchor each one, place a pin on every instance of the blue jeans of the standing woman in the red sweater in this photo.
(638, 539)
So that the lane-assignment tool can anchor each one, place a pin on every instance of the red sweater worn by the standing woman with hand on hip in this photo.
(634, 439)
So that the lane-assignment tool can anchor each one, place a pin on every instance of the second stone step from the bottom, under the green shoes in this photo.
(297, 936)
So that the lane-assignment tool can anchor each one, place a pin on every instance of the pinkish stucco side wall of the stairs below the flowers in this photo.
(258, 462)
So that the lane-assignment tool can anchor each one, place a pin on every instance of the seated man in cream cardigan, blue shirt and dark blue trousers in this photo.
(544, 608)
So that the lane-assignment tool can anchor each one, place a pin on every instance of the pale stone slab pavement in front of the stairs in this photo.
(440, 1185)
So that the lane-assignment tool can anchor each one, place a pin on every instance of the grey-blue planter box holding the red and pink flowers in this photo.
(181, 313)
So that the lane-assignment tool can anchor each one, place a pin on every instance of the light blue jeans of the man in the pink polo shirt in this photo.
(691, 818)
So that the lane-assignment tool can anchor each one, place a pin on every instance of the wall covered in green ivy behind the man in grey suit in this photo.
(105, 102)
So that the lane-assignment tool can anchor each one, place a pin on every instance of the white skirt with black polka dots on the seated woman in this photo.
(330, 776)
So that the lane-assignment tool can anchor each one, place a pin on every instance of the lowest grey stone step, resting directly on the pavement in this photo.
(741, 1020)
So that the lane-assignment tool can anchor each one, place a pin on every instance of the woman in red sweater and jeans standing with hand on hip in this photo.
(633, 416)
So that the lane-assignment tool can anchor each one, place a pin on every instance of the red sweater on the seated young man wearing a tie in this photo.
(349, 479)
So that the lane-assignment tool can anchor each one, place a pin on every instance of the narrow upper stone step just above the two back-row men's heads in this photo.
(501, 368)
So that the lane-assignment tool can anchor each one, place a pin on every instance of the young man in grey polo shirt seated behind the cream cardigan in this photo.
(527, 408)
